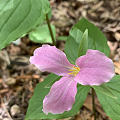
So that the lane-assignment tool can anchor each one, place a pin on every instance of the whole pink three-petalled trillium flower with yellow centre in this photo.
(94, 68)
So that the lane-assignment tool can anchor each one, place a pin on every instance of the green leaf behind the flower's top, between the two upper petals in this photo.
(96, 40)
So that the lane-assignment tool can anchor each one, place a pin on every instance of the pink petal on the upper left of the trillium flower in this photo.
(49, 58)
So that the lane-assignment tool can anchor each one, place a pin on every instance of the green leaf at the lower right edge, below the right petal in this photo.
(109, 97)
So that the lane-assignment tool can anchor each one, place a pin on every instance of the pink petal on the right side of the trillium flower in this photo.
(95, 68)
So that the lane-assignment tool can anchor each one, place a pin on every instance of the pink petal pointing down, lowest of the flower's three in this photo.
(61, 96)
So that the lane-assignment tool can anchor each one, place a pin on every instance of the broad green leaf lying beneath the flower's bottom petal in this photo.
(35, 105)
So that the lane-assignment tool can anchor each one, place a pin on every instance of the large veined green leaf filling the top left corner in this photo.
(20, 18)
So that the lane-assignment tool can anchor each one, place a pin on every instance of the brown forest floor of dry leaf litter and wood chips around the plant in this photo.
(18, 77)
